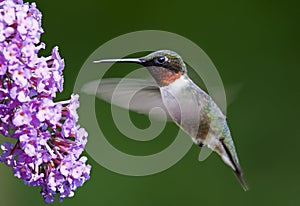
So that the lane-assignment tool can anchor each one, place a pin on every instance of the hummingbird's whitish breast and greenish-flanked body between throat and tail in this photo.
(193, 110)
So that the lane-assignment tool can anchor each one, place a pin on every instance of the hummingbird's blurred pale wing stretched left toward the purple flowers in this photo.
(137, 95)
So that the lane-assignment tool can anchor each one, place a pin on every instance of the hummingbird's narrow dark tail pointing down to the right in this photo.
(237, 168)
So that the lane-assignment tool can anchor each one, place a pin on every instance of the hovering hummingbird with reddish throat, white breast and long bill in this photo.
(185, 103)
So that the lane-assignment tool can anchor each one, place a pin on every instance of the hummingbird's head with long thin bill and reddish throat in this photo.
(165, 66)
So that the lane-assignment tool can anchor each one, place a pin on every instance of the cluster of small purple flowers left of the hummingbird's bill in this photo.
(48, 140)
